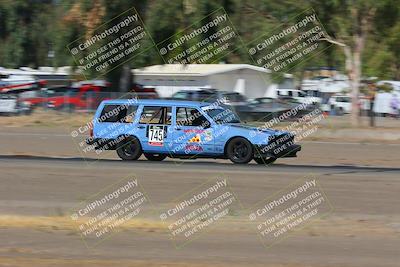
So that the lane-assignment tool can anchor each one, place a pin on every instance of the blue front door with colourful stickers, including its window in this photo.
(192, 132)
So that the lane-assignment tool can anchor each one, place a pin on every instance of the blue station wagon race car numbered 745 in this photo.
(186, 130)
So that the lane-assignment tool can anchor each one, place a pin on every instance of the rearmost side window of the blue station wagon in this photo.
(118, 113)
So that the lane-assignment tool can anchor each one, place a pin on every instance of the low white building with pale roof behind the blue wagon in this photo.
(249, 80)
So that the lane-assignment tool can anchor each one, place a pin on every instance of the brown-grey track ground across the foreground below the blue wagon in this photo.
(363, 228)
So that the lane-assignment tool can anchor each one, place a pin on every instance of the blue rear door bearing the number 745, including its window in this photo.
(154, 128)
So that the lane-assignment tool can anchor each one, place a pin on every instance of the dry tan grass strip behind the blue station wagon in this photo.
(330, 128)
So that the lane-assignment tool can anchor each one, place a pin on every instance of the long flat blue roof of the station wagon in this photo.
(157, 102)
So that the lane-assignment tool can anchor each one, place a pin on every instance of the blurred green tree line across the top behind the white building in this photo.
(365, 33)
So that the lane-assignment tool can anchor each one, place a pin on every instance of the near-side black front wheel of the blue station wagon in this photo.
(239, 150)
